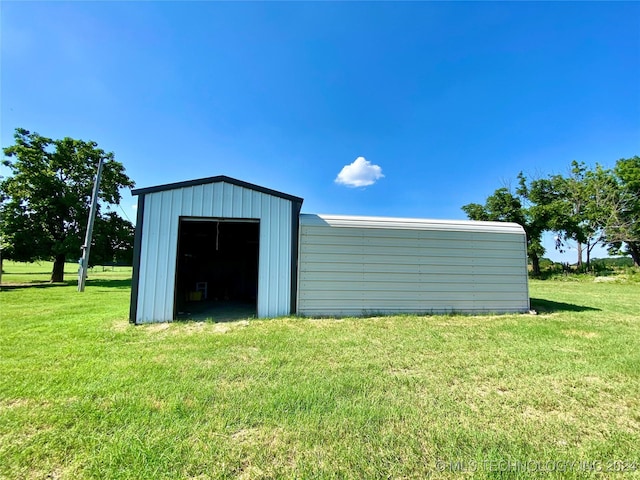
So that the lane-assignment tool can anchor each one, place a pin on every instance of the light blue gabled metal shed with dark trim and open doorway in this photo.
(214, 238)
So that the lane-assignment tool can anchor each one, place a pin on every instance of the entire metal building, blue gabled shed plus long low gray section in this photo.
(219, 241)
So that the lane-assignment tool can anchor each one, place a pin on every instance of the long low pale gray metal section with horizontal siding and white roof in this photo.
(360, 265)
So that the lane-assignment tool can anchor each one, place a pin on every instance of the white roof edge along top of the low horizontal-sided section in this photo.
(408, 223)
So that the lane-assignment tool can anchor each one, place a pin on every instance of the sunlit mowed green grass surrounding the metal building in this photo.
(83, 394)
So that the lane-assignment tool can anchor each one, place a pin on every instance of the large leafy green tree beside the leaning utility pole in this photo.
(44, 204)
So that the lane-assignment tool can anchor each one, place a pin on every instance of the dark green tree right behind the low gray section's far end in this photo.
(503, 206)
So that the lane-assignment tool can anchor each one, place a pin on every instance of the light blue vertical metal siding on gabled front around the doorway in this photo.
(159, 242)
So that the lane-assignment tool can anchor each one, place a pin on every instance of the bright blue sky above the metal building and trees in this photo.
(448, 100)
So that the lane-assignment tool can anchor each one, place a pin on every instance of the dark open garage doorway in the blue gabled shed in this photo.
(217, 269)
